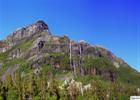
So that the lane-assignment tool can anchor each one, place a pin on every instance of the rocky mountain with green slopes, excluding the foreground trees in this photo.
(33, 49)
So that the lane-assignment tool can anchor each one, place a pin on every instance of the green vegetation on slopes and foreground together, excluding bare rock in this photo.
(25, 84)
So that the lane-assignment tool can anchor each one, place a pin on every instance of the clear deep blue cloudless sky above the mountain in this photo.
(114, 24)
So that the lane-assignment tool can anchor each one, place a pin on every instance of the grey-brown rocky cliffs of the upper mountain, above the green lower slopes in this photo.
(35, 44)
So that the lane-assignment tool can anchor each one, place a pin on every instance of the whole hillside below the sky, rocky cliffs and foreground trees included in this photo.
(36, 64)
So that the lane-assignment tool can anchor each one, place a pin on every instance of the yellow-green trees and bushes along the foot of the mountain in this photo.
(45, 86)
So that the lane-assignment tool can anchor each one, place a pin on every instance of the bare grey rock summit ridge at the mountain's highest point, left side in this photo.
(27, 32)
